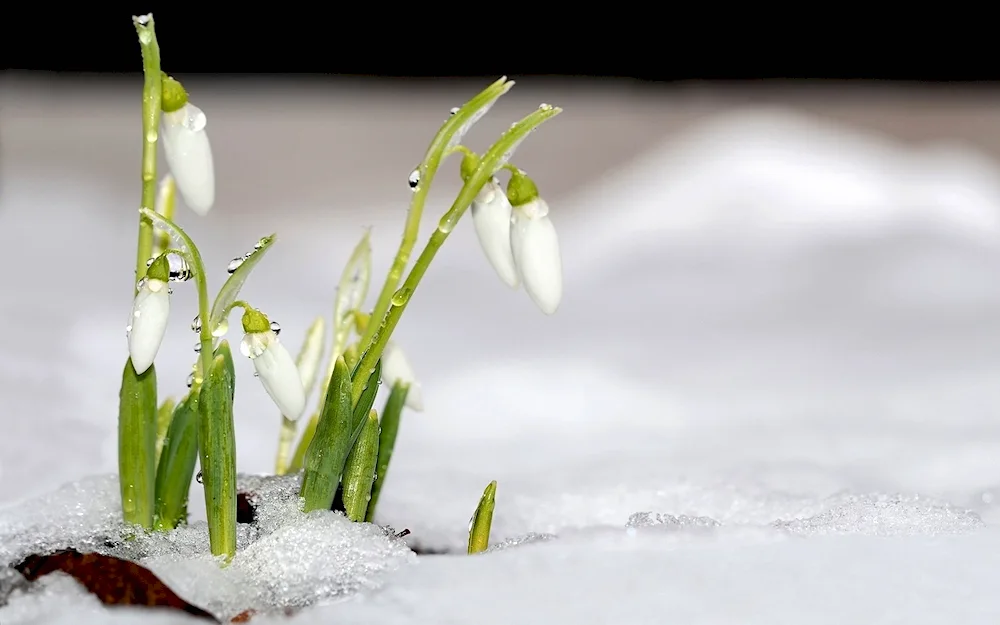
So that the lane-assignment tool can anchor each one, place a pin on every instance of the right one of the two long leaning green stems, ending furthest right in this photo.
(493, 159)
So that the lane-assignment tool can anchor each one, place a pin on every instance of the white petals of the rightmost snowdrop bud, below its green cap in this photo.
(535, 244)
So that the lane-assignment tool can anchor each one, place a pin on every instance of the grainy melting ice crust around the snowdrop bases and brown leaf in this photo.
(285, 559)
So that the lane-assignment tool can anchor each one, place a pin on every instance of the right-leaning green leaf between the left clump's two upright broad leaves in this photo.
(176, 468)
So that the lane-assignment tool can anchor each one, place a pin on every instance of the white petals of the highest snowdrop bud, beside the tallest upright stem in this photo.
(189, 156)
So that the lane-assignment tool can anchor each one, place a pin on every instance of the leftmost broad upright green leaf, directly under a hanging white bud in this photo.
(137, 445)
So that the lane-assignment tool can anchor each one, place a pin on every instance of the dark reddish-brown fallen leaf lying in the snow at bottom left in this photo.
(114, 581)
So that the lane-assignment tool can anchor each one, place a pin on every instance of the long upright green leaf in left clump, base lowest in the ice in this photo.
(217, 444)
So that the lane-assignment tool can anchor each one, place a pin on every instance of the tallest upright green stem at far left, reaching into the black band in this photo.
(151, 103)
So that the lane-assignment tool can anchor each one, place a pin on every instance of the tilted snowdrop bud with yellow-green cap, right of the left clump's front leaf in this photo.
(275, 367)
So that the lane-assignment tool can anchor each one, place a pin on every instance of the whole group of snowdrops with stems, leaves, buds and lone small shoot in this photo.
(346, 443)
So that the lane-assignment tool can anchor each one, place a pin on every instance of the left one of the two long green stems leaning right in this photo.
(443, 141)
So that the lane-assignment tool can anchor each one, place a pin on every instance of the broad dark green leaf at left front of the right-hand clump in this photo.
(327, 453)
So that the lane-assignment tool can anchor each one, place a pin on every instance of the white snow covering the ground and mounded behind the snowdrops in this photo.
(769, 397)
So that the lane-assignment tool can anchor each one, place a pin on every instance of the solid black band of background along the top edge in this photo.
(661, 43)
